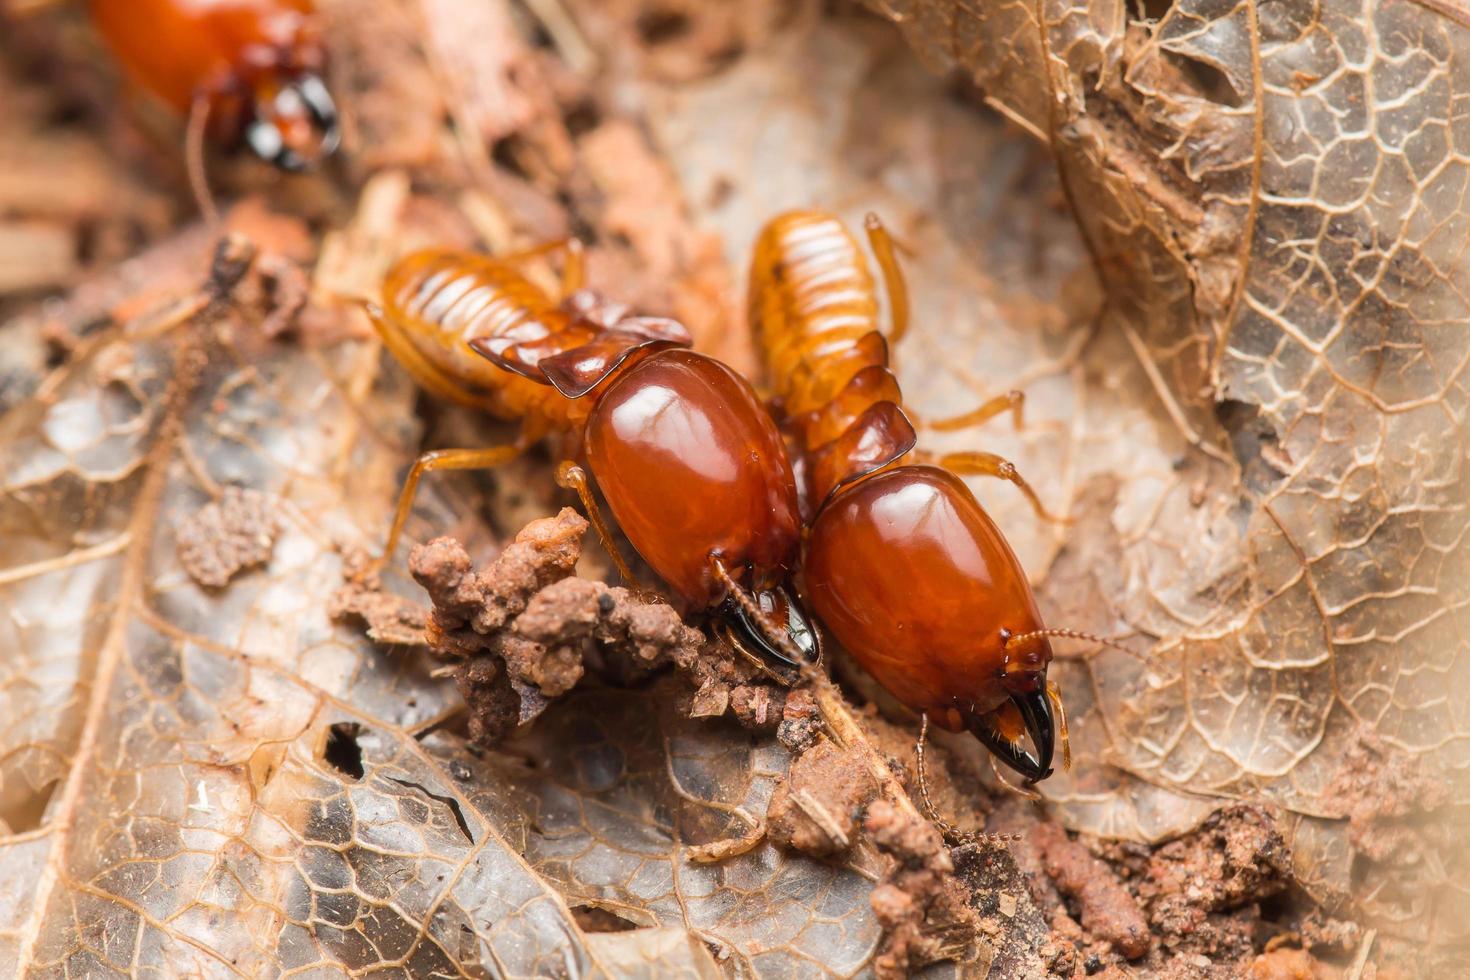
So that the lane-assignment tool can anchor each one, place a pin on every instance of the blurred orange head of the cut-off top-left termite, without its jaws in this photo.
(177, 48)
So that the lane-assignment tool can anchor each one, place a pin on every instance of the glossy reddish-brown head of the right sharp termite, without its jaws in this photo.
(918, 584)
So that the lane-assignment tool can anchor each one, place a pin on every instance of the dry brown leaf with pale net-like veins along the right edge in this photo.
(1274, 201)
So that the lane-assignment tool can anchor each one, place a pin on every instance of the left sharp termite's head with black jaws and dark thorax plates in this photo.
(693, 468)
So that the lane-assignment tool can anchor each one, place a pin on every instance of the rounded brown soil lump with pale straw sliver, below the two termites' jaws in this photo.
(818, 807)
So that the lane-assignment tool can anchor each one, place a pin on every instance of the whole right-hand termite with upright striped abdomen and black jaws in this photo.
(902, 562)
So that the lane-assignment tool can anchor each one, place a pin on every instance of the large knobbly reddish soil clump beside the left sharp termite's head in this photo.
(521, 631)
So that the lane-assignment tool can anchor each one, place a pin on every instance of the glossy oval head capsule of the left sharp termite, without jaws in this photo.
(693, 466)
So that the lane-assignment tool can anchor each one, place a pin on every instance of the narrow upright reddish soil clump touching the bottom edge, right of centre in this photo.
(921, 904)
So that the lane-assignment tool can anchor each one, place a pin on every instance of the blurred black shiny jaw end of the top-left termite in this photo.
(295, 121)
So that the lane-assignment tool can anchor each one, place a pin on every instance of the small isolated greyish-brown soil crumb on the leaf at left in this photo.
(223, 538)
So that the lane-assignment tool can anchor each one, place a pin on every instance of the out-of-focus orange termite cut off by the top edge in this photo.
(242, 70)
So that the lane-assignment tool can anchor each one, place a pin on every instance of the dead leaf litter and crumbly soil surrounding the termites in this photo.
(220, 781)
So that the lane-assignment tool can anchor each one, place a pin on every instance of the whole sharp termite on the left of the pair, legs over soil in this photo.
(683, 450)
